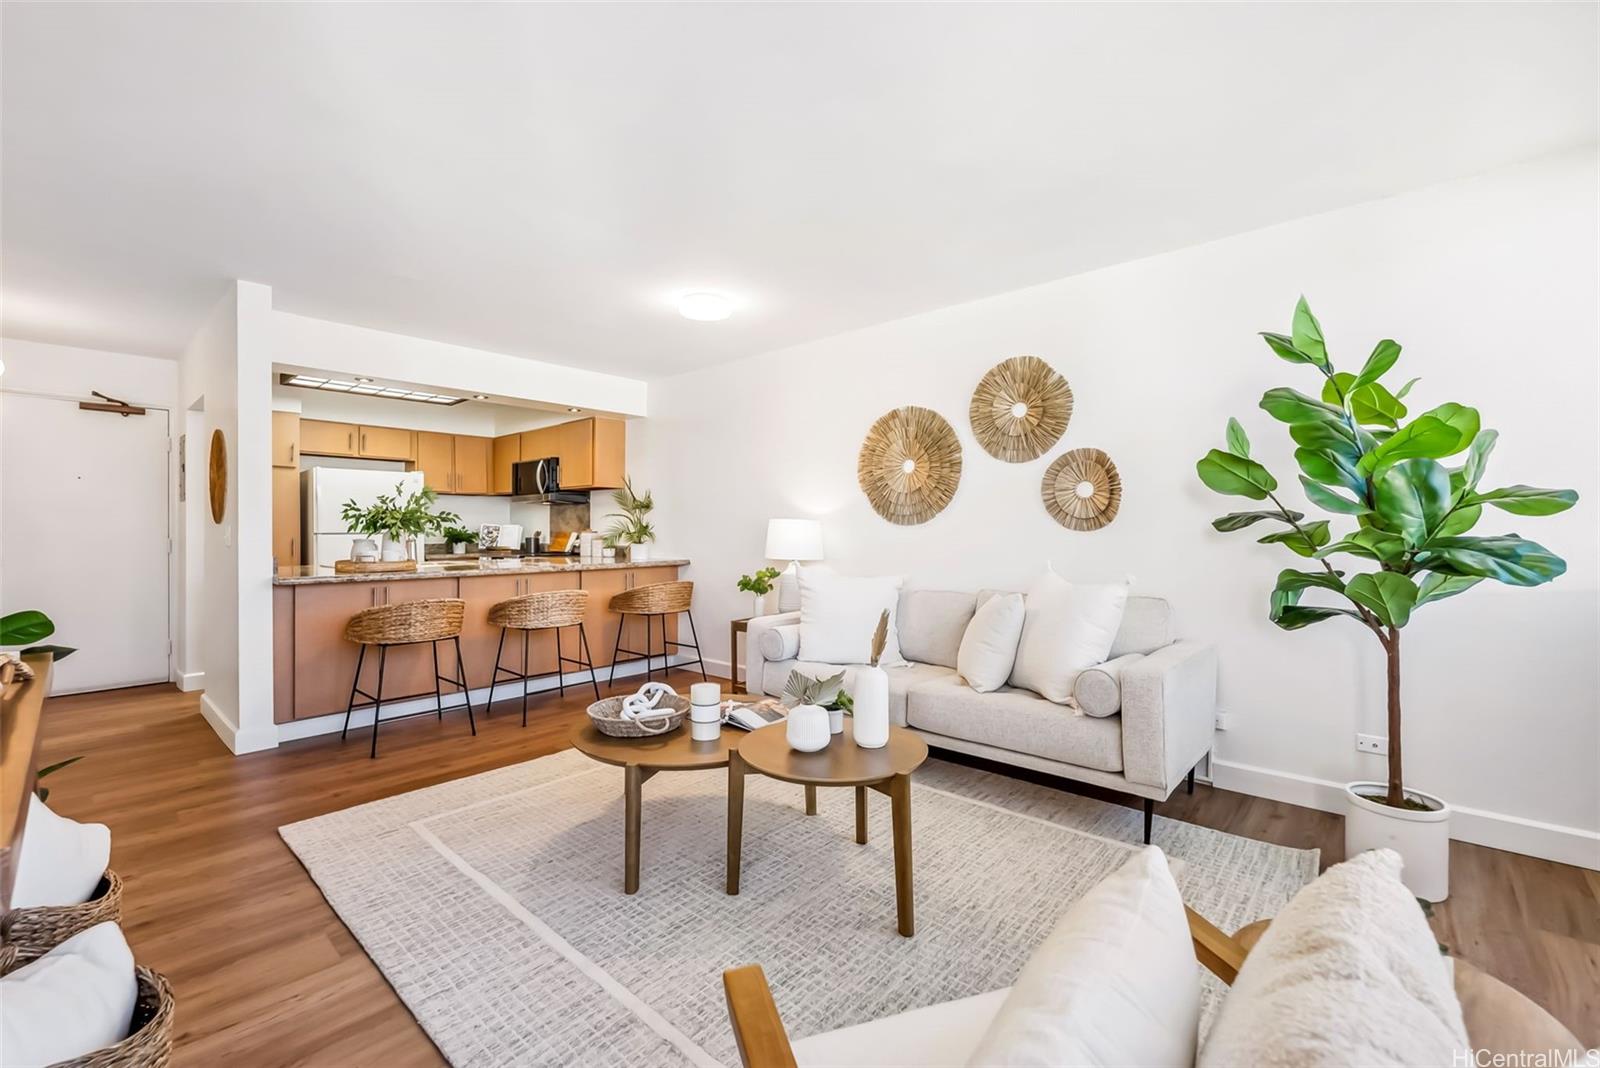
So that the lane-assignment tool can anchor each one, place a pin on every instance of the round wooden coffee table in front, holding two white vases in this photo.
(841, 765)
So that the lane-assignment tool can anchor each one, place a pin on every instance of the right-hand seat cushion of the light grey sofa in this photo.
(1015, 720)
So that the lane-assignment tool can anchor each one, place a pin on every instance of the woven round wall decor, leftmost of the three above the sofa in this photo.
(910, 466)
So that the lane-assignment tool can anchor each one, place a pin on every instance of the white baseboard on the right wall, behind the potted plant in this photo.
(1497, 831)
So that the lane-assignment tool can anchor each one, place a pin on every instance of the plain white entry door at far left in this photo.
(84, 519)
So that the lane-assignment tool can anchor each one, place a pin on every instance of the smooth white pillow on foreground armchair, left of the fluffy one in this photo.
(1114, 984)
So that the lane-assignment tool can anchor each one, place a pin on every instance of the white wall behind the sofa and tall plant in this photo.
(1492, 289)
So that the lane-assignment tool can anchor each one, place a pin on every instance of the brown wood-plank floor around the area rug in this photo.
(266, 974)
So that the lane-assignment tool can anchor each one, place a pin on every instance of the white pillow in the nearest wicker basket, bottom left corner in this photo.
(74, 1000)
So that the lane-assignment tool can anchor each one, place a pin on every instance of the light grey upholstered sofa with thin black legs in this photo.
(1161, 733)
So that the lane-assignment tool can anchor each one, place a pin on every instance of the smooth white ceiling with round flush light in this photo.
(543, 180)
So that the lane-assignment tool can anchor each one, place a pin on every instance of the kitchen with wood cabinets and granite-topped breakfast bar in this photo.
(516, 476)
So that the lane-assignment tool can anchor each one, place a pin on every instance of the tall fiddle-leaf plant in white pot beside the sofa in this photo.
(1410, 548)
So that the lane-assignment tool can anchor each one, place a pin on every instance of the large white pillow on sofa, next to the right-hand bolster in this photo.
(1070, 628)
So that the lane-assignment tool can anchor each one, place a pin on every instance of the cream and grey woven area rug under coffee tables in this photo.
(494, 904)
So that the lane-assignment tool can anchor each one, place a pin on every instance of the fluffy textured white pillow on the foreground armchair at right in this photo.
(1346, 974)
